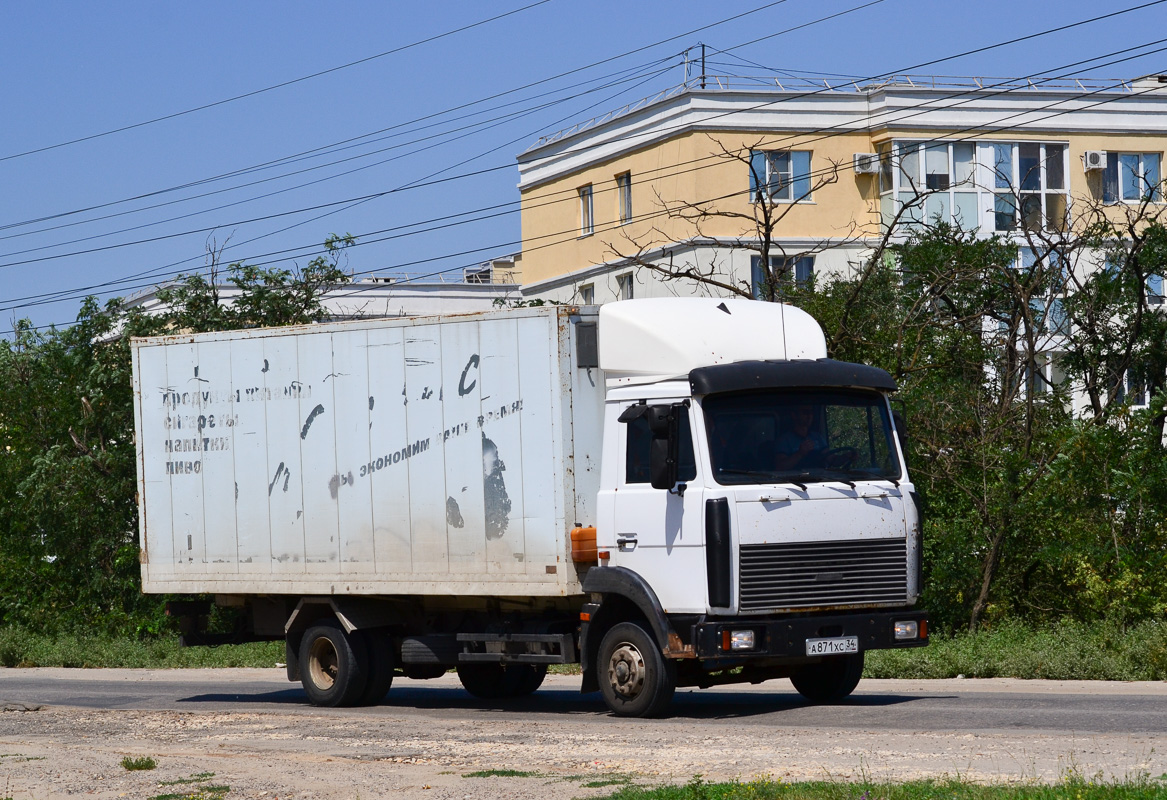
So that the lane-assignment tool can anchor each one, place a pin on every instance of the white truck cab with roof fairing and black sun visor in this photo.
(754, 502)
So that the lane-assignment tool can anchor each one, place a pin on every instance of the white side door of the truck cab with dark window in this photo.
(660, 534)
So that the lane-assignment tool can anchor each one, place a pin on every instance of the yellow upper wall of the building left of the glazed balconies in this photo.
(675, 174)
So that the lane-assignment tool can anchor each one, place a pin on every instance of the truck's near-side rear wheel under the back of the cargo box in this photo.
(333, 666)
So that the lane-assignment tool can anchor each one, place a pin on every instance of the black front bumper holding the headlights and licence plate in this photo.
(787, 637)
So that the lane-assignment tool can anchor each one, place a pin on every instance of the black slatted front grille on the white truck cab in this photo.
(822, 574)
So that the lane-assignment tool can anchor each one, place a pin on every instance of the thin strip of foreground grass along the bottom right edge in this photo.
(1140, 789)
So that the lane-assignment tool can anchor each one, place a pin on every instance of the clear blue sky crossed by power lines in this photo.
(78, 69)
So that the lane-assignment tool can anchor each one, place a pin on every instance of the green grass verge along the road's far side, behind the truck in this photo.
(1064, 651)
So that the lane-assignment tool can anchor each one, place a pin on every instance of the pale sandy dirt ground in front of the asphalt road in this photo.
(60, 752)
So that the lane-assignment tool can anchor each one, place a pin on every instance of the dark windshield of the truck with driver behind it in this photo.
(800, 437)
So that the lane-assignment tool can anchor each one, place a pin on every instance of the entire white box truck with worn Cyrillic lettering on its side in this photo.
(670, 493)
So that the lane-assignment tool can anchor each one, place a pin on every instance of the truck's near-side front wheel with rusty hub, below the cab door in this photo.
(635, 678)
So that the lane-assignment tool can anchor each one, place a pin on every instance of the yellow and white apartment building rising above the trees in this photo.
(677, 184)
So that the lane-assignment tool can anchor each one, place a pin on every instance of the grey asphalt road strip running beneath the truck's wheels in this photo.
(974, 706)
